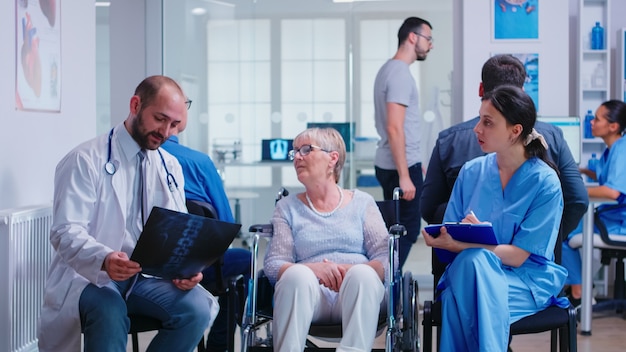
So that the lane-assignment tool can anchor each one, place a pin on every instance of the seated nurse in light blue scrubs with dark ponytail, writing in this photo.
(515, 188)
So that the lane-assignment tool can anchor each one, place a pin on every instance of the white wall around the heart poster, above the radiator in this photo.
(32, 143)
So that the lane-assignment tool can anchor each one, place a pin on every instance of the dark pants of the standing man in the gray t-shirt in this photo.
(410, 215)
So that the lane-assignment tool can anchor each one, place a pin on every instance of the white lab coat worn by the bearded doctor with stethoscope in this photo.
(89, 213)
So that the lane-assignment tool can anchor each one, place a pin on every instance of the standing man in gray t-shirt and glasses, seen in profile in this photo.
(396, 107)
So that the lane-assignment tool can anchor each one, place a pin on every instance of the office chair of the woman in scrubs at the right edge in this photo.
(612, 246)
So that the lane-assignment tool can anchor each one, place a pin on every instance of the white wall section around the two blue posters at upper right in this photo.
(552, 47)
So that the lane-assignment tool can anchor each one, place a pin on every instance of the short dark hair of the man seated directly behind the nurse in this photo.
(502, 70)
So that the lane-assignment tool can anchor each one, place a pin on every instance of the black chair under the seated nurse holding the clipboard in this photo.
(561, 322)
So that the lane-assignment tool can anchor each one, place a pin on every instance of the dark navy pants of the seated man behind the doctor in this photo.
(236, 262)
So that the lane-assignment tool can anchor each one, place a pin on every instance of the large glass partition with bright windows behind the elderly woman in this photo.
(262, 69)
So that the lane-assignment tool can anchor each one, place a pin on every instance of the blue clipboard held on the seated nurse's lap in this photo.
(464, 232)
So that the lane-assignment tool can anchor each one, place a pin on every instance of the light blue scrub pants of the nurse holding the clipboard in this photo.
(480, 299)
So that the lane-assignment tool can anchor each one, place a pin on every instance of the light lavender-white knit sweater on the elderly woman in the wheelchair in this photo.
(354, 234)
